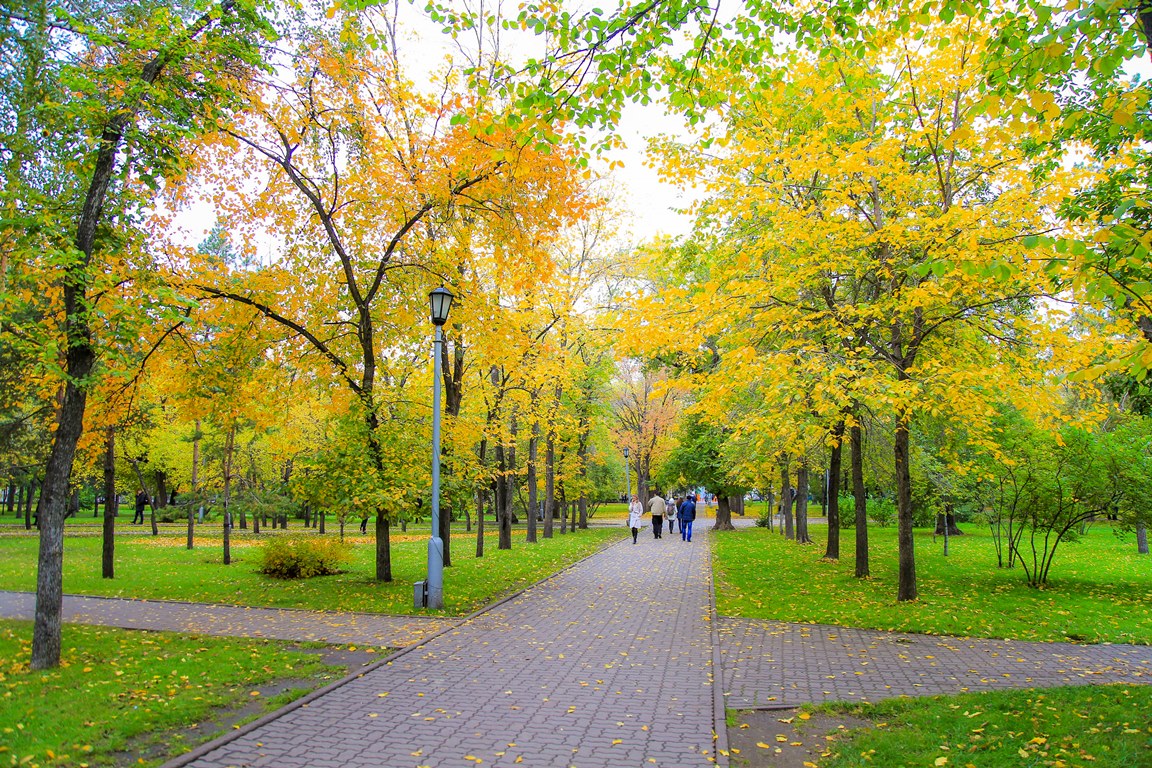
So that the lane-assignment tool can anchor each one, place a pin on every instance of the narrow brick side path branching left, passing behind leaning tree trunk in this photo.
(236, 621)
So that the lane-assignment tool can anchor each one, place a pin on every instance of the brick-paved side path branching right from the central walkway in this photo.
(776, 664)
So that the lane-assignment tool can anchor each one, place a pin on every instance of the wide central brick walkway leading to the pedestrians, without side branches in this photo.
(607, 665)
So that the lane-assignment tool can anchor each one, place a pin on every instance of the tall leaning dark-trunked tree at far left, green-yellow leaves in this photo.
(139, 80)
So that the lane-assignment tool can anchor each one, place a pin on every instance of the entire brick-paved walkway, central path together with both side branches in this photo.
(607, 665)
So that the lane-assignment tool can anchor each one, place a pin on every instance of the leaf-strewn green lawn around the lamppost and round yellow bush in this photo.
(162, 568)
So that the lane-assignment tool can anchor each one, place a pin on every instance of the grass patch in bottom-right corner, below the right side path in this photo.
(1098, 726)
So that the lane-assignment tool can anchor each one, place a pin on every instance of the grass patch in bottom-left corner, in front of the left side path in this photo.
(124, 697)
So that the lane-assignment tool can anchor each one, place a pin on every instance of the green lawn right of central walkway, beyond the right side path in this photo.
(1101, 590)
